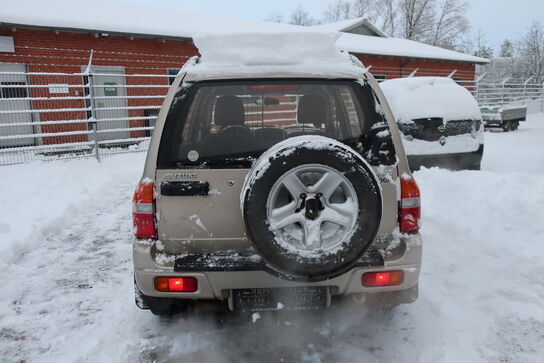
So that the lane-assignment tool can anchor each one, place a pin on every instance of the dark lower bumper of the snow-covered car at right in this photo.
(456, 161)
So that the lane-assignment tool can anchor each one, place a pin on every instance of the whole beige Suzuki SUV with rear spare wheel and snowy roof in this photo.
(275, 179)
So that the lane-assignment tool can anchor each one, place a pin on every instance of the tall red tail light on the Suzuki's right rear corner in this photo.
(410, 206)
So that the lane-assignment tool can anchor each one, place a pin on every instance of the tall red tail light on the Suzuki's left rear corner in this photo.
(143, 211)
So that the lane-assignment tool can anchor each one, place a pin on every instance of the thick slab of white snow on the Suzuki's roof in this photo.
(239, 54)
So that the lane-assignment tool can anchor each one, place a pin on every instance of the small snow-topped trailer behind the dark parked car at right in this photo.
(506, 117)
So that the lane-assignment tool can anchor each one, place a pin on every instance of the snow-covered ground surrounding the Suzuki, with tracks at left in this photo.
(66, 280)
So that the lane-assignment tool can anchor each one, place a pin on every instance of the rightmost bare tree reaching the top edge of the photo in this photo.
(451, 24)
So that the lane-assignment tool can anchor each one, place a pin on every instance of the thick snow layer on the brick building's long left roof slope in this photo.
(132, 18)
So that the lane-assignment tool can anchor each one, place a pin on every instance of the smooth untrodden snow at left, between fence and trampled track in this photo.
(48, 197)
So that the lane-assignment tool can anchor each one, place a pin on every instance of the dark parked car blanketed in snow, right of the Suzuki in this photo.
(439, 120)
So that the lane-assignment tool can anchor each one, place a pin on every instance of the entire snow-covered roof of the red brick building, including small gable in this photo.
(137, 19)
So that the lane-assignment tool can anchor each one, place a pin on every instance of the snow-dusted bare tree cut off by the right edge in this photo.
(532, 50)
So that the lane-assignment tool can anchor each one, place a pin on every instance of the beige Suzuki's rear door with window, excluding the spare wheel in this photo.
(205, 156)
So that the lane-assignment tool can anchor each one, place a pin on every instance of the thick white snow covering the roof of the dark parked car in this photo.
(422, 97)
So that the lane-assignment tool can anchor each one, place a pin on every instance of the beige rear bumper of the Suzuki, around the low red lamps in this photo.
(217, 283)
